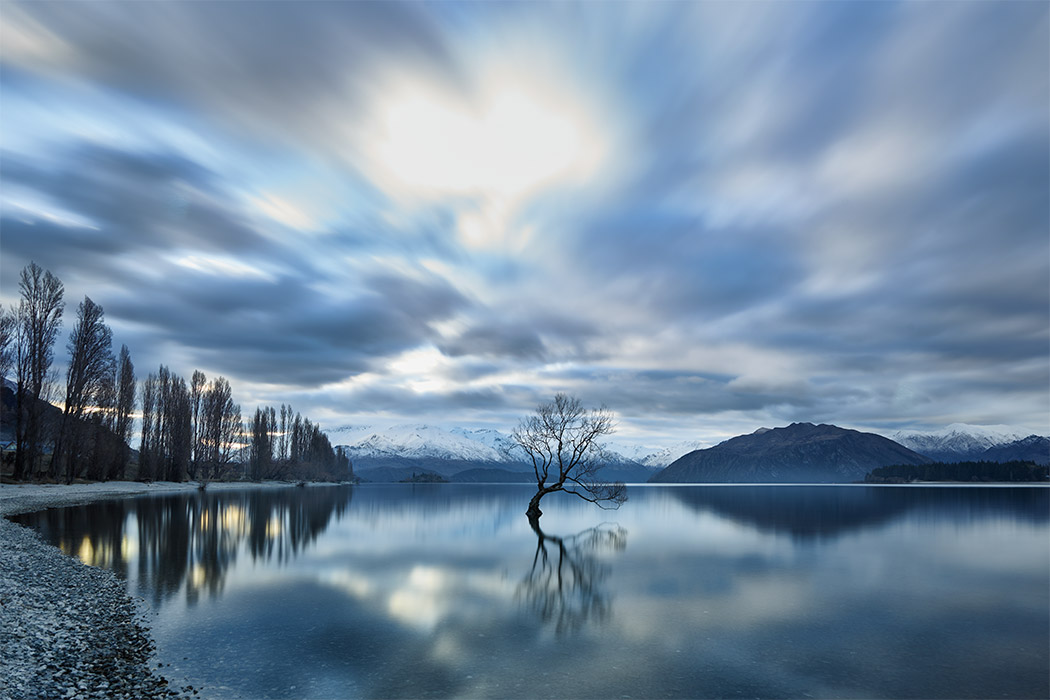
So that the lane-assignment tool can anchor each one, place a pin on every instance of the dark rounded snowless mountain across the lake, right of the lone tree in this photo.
(802, 453)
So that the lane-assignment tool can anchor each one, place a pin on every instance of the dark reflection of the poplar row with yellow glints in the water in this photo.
(192, 541)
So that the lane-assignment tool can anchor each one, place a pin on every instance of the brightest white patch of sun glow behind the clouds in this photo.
(514, 140)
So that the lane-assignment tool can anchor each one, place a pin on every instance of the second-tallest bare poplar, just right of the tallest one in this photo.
(88, 377)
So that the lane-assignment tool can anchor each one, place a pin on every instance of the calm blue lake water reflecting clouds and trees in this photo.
(725, 591)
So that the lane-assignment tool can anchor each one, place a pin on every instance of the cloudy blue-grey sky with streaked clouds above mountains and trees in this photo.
(708, 217)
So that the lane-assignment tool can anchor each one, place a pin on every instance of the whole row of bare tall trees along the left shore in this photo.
(190, 430)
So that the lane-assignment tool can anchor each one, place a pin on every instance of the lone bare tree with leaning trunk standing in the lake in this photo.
(562, 441)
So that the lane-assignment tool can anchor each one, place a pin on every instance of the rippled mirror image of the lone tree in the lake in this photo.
(564, 587)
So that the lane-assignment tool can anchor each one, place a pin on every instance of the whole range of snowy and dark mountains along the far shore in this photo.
(808, 453)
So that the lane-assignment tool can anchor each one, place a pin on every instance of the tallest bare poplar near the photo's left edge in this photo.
(39, 323)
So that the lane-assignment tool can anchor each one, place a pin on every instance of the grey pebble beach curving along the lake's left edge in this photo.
(72, 630)
